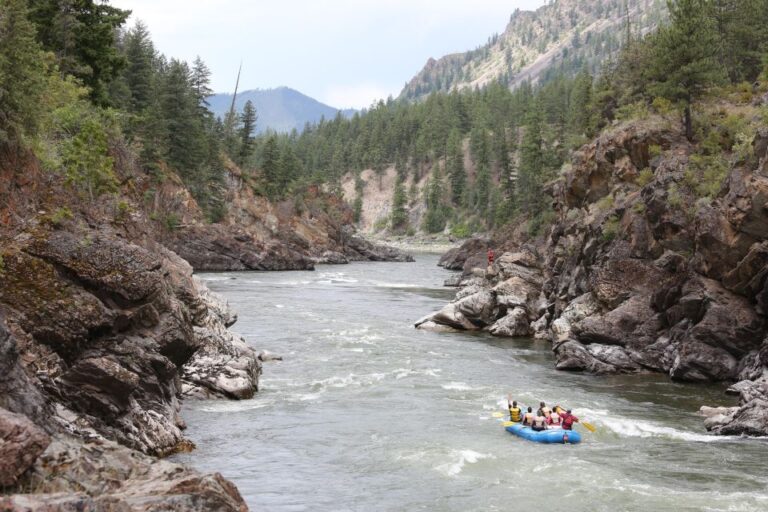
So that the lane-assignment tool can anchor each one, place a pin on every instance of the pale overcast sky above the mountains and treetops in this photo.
(344, 53)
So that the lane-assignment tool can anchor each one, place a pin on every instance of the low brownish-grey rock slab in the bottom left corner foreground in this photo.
(71, 475)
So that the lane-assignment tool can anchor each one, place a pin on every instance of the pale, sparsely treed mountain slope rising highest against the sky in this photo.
(562, 37)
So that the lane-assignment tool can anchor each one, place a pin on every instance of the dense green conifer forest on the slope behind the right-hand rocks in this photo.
(490, 153)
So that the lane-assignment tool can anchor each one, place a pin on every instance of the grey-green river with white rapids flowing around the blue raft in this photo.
(366, 413)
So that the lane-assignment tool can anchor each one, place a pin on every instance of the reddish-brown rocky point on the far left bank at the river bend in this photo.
(258, 234)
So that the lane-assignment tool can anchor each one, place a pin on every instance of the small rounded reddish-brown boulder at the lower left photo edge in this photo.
(21, 442)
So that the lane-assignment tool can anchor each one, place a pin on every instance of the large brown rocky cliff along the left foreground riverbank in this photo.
(102, 331)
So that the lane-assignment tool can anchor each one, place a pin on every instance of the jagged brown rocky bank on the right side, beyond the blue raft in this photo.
(638, 274)
